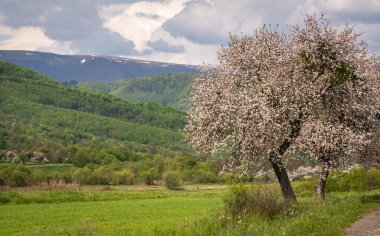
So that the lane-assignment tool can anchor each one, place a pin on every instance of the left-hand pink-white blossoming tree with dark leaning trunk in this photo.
(248, 109)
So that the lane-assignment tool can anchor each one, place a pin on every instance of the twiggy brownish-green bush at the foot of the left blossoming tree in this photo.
(247, 200)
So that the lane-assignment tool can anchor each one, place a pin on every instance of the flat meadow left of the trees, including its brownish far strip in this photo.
(116, 211)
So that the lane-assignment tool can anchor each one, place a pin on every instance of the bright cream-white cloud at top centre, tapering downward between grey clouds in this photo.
(139, 20)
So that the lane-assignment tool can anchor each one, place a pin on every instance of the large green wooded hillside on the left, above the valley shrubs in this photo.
(38, 113)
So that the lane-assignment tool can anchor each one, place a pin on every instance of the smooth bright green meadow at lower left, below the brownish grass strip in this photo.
(104, 217)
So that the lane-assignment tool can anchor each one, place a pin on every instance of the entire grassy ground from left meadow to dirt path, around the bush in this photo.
(149, 210)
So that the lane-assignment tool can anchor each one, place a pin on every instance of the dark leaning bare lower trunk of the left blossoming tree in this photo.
(283, 179)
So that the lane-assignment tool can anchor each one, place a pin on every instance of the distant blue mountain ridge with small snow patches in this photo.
(90, 68)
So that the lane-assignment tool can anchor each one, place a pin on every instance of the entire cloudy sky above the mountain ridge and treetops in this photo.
(181, 31)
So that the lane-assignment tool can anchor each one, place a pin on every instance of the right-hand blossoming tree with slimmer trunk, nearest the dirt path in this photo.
(343, 118)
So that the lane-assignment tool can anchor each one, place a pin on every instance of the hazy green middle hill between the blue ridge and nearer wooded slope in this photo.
(168, 89)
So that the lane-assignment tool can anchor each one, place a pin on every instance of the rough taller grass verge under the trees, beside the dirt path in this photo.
(308, 217)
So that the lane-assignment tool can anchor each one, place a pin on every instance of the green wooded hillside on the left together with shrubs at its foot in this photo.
(123, 142)
